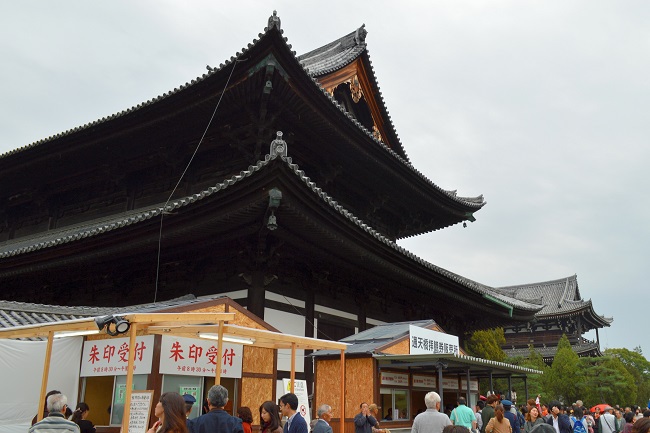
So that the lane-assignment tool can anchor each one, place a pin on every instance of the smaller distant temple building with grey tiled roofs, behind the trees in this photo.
(563, 312)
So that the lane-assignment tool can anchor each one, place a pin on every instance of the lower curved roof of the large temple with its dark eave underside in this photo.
(307, 215)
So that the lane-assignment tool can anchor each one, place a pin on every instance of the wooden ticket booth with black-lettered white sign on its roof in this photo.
(396, 365)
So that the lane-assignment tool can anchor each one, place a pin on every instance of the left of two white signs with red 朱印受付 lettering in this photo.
(109, 357)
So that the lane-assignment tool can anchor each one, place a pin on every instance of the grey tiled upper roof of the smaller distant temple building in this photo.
(560, 298)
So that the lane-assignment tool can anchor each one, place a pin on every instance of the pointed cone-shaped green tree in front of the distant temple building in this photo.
(564, 378)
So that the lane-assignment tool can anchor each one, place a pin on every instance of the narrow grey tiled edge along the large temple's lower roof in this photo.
(95, 228)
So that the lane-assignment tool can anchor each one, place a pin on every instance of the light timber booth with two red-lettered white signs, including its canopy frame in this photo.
(157, 352)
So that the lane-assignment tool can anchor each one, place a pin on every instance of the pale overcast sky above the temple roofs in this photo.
(543, 107)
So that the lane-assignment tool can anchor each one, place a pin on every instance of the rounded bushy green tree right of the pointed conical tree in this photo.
(606, 380)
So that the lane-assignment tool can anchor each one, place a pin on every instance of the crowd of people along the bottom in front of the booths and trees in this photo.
(491, 415)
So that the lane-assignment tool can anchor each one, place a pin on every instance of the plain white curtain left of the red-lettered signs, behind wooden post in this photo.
(21, 373)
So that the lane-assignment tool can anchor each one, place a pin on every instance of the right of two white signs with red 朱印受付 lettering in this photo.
(198, 357)
